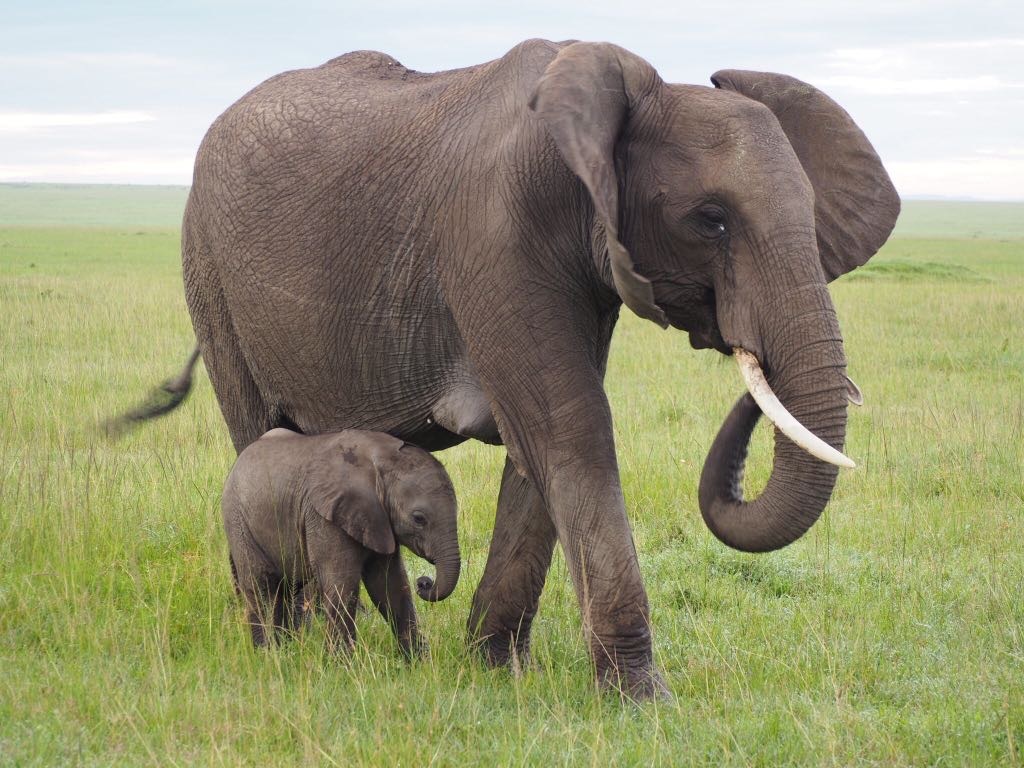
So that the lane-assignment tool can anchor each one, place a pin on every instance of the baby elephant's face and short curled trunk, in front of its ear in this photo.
(421, 502)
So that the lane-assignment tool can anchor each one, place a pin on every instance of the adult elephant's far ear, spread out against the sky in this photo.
(856, 203)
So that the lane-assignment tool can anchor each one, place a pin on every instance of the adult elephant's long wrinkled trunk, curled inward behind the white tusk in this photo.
(808, 377)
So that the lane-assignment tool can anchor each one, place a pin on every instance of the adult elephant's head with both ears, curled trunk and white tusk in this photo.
(726, 212)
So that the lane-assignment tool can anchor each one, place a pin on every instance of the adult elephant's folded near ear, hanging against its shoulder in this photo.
(584, 100)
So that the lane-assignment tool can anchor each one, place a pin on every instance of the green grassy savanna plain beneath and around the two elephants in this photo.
(892, 634)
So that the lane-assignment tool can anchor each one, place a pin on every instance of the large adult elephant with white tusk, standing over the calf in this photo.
(444, 257)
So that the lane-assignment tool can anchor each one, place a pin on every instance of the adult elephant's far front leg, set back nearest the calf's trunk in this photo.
(506, 600)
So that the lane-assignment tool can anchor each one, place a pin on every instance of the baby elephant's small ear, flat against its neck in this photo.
(349, 495)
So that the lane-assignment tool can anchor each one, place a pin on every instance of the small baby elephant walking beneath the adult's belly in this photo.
(328, 510)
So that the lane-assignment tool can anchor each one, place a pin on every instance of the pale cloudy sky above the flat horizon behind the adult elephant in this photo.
(123, 93)
